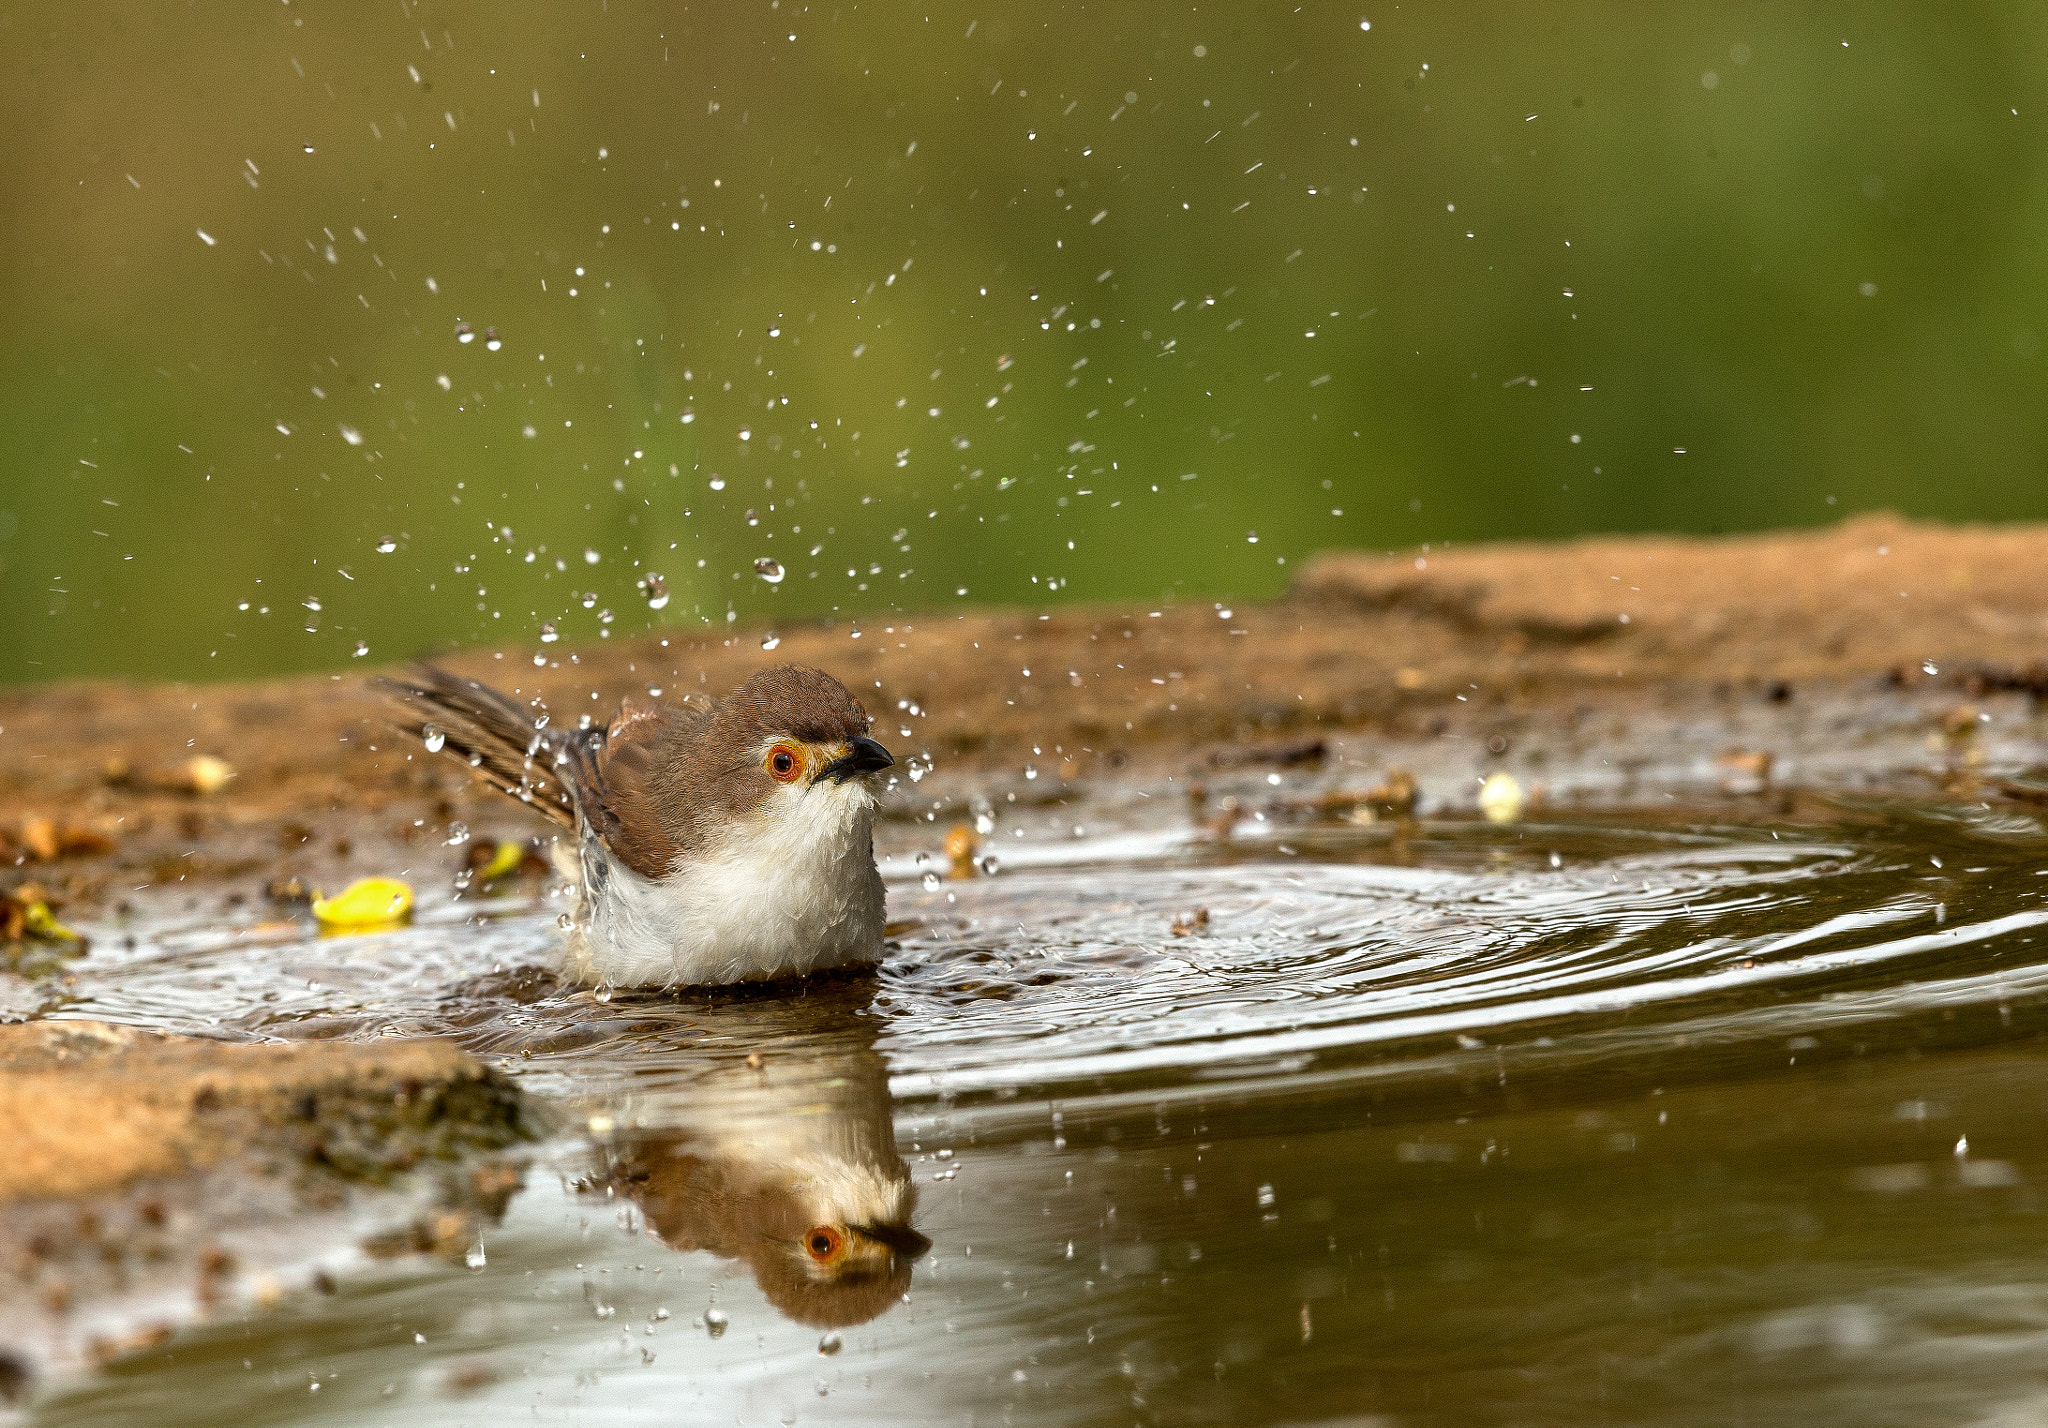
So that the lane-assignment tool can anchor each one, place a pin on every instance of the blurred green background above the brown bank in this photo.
(968, 304)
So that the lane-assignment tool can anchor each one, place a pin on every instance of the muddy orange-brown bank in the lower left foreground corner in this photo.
(153, 1181)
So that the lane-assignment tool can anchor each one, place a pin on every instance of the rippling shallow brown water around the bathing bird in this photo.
(1603, 1120)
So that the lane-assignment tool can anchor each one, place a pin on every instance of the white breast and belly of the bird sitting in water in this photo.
(792, 892)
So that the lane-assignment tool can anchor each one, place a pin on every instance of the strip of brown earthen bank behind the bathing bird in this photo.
(1396, 646)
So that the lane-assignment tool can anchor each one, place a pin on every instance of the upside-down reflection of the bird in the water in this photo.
(769, 1138)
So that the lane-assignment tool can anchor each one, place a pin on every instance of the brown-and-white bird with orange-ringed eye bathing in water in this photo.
(714, 845)
